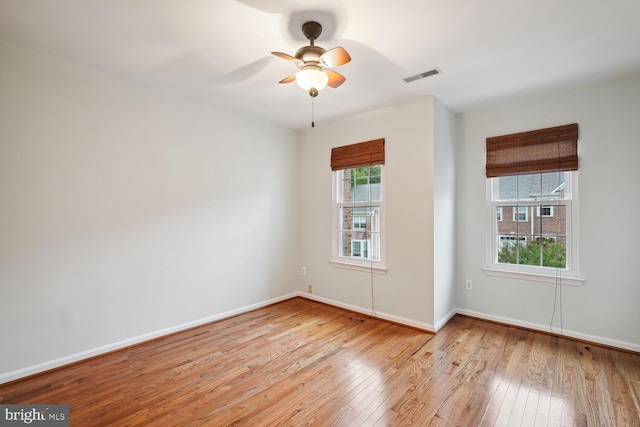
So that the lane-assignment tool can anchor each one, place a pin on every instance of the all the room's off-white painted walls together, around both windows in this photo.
(124, 212)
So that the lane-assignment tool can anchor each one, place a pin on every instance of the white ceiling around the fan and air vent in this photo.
(218, 51)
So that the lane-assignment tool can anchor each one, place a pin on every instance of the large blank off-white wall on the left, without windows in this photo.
(124, 211)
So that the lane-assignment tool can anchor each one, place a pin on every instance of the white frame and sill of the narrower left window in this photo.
(349, 263)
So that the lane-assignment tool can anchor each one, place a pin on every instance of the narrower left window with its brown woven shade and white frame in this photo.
(358, 183)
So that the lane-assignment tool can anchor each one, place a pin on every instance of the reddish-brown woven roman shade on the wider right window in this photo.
(545, 150)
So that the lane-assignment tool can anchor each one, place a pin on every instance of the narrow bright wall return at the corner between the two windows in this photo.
(444, 214)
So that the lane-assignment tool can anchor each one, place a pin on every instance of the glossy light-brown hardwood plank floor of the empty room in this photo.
(299, 362)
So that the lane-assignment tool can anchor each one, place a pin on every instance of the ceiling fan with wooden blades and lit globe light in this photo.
(315, 62)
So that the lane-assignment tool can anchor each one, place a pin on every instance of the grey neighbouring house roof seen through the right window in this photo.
(533, 186)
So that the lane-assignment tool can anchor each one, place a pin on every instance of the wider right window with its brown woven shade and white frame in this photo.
(540, 199)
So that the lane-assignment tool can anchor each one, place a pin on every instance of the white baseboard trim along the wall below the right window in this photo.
(622, 345)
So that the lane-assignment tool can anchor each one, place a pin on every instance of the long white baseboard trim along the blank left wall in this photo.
(73, 358)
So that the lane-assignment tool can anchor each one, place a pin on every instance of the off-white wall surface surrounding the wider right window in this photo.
(605, 307)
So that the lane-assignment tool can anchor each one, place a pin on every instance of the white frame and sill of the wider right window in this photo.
(568, 276)
